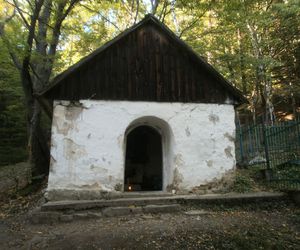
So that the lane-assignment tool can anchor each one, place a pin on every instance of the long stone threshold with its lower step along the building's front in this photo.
(69, 210)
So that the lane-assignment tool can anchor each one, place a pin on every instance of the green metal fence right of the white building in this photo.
(274, 147)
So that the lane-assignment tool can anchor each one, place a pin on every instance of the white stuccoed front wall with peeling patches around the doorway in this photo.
(88, 142)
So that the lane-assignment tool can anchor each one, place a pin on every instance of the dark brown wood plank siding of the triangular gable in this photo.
(145, 65)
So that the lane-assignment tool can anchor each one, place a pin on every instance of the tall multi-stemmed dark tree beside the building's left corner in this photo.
(42, 20)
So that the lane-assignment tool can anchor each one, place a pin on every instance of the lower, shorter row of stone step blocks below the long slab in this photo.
(49, 217)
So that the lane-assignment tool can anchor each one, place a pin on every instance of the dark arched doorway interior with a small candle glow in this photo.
(143, 164)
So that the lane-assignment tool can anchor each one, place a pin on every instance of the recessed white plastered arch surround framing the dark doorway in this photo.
(167, 141)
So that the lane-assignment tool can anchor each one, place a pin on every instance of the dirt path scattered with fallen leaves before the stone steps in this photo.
(239, 228)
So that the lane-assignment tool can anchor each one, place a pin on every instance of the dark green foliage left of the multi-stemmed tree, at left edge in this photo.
(13, 130)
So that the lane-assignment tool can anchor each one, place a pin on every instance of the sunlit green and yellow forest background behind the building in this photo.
(255, 44)
